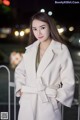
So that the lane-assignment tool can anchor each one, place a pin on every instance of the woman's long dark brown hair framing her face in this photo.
(53, 30)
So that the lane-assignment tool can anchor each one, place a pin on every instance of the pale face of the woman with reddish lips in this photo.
(41, 30)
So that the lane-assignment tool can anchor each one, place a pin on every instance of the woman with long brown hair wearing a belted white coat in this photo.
(45, 76)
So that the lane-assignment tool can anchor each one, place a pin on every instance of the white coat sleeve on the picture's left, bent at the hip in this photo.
(20, 76)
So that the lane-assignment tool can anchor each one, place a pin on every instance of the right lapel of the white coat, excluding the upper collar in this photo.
(47, 58)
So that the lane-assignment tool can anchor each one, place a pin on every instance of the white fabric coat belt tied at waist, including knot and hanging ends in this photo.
(47, 94)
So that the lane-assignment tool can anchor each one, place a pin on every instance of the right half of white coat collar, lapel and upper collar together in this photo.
(52, 50)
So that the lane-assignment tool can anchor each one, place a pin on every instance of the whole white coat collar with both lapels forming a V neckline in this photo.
(54, 48)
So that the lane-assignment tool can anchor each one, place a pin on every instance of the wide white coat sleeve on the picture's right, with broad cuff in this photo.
(65, 94)
